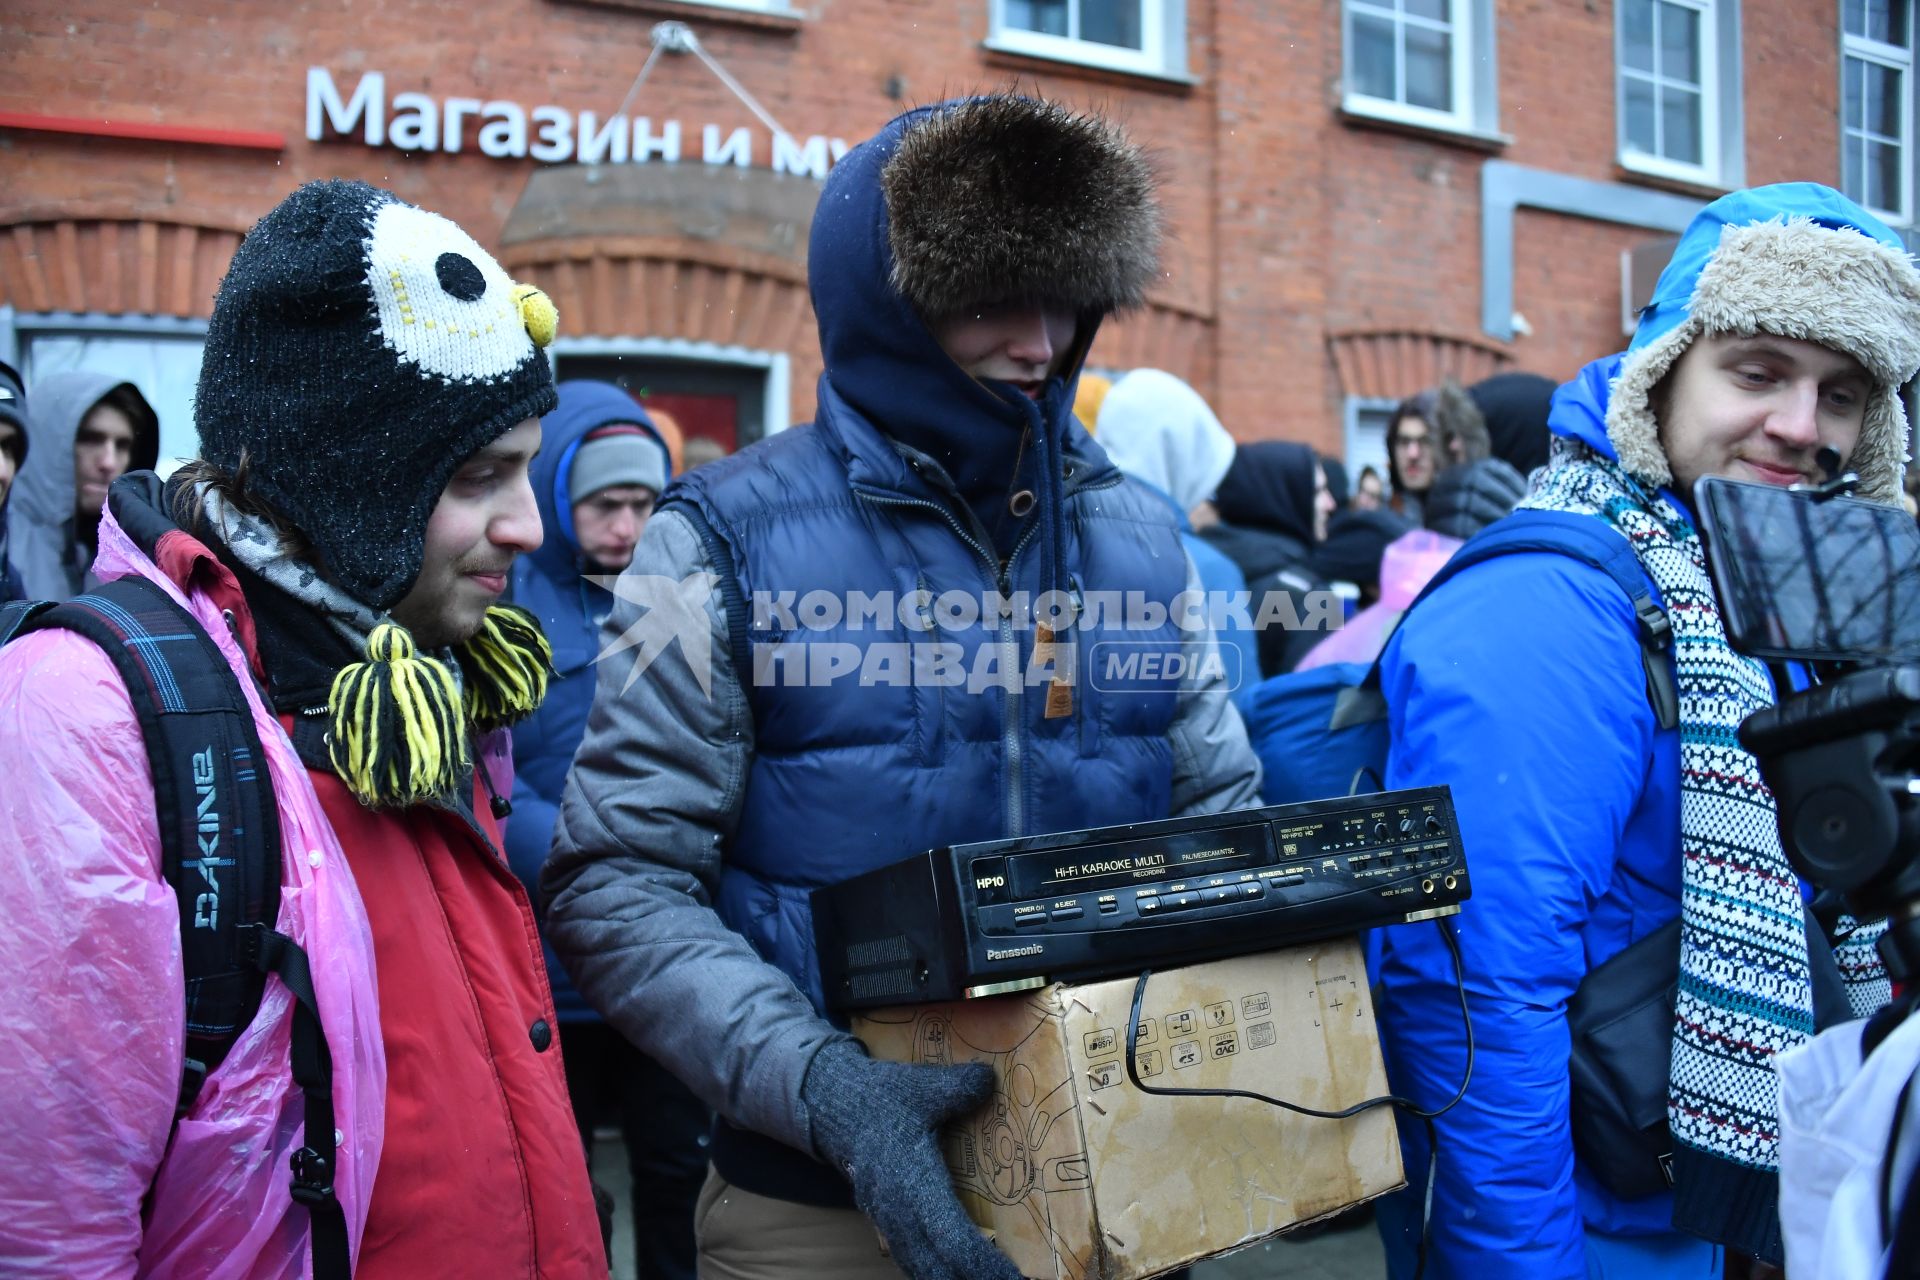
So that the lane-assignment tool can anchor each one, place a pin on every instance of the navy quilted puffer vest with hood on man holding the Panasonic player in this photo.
(875, 767)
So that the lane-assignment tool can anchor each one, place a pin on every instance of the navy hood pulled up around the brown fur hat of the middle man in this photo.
(880, 358)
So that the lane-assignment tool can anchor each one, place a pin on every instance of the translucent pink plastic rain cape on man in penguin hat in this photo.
(93, 997)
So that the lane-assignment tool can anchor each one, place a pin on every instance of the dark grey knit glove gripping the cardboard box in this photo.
(880, 1126)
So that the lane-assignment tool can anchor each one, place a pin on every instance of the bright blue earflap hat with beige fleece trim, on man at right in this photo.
(1796, 260)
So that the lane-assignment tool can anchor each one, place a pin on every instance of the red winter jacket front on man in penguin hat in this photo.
(483, 1172)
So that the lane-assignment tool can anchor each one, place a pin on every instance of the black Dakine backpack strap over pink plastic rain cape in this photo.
(220, 838)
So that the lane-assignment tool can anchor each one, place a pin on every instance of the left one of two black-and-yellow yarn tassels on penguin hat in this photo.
(396, 724)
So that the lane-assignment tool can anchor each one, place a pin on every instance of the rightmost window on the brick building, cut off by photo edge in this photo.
(1877, 105)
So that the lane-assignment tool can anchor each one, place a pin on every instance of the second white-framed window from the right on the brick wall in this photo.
(1679, 68)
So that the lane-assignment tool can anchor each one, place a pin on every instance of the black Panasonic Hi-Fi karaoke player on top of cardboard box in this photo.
(976, 920)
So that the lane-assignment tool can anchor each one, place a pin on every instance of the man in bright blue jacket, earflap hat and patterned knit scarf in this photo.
(1787, 321)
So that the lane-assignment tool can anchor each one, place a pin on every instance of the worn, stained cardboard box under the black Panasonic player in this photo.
(1078, 1175)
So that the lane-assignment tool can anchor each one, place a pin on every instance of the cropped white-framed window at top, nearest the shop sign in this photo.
(1147, 37)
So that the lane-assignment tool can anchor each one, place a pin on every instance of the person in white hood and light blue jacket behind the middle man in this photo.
(1161, 433)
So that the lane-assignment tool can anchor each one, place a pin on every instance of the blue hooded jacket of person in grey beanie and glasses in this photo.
(552, 584)
